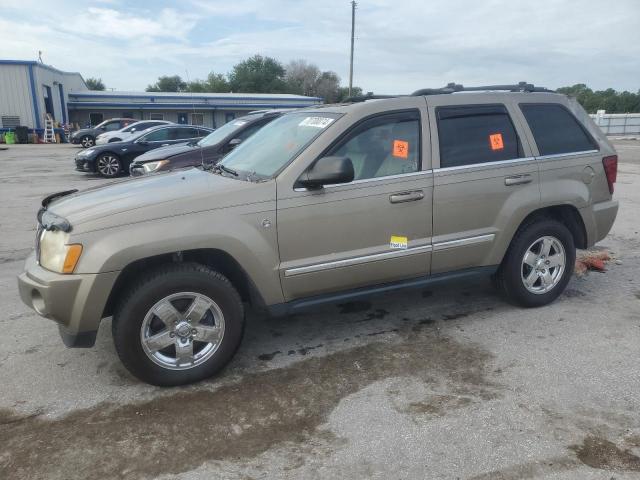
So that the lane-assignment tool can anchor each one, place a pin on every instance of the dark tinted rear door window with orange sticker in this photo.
(476, 134)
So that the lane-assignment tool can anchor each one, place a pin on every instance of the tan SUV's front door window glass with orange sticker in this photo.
(384, 145)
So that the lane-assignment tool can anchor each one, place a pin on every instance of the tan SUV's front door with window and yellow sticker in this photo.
(374, 230)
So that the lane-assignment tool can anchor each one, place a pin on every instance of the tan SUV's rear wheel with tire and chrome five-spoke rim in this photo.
(538, 264)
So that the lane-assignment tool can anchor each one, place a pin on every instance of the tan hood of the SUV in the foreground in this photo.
(149, 197)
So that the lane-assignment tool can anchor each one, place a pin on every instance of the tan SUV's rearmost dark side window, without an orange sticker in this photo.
(556, 130)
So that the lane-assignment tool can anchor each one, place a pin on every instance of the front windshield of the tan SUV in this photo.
(270, 149)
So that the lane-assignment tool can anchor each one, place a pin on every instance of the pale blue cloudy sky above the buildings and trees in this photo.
(400, 46)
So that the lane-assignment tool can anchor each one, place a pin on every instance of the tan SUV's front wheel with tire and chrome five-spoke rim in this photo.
(179, 324)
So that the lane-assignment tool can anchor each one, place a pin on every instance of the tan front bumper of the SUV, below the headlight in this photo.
(76, 302)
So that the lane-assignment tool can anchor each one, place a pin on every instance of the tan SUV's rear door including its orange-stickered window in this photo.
(484, 177)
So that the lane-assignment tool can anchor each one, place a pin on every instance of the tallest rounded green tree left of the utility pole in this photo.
(258, 74)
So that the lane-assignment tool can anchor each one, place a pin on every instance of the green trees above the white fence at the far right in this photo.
(609, 99)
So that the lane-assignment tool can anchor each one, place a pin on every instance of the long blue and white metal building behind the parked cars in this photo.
(30, 90)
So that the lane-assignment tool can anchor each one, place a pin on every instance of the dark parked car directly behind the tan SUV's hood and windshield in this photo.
(207, 151)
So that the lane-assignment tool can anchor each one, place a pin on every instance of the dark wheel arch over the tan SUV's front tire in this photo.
(216, 259)
